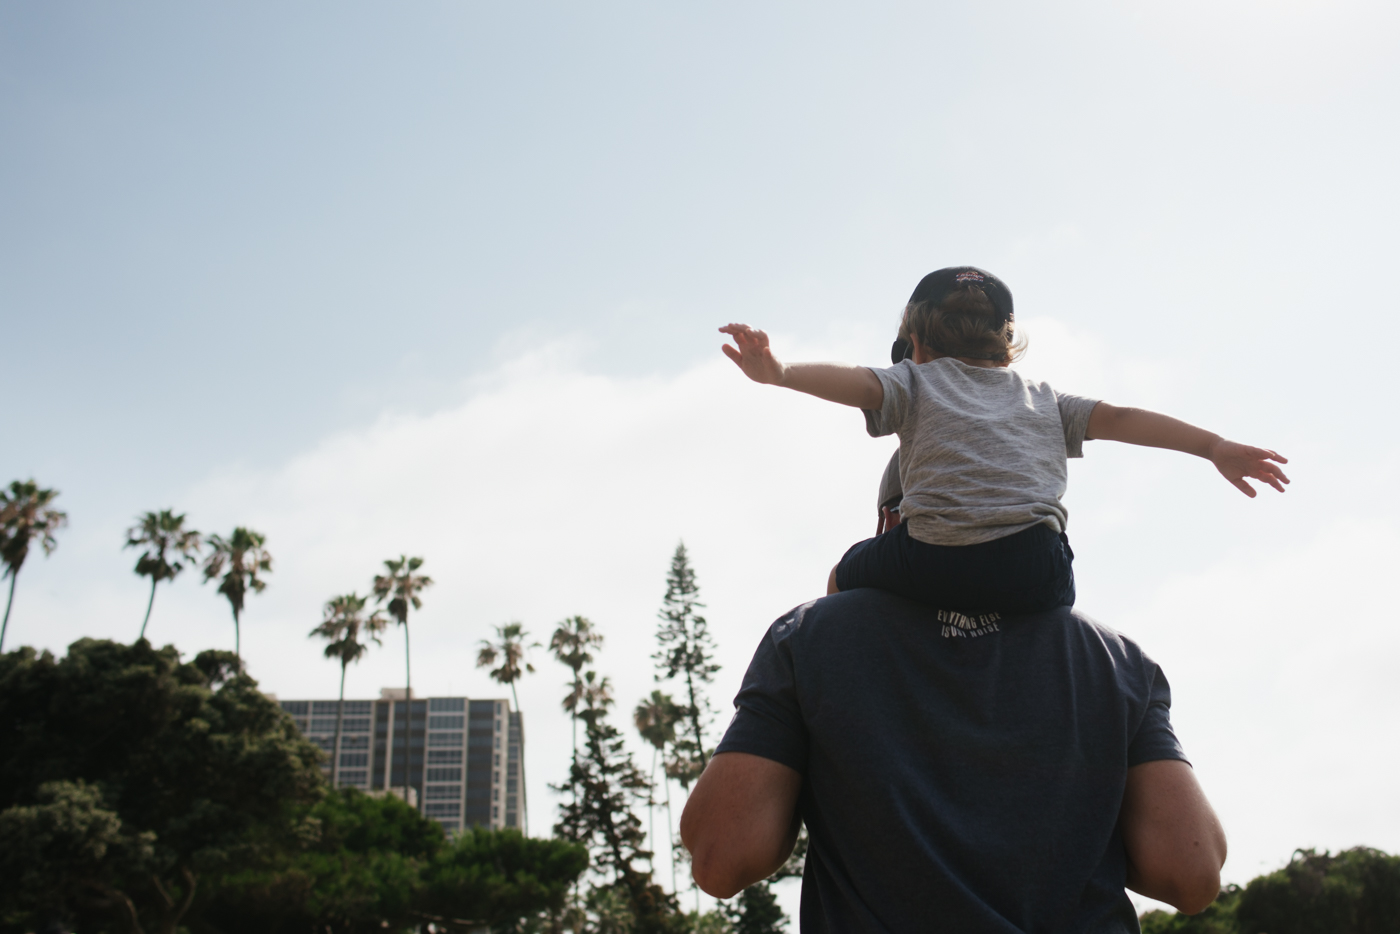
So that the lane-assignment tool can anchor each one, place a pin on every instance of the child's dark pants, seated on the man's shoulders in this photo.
(1023, 573)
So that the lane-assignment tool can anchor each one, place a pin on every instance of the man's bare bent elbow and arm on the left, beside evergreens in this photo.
(741, 821)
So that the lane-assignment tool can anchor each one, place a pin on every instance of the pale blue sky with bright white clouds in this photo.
(444, 281)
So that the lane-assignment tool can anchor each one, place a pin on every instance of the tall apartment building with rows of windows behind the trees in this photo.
(465, 758)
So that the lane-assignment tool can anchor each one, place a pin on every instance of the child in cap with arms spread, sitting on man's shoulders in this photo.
(982, 452)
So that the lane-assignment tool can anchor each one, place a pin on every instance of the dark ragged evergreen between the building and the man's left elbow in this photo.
(607, 785)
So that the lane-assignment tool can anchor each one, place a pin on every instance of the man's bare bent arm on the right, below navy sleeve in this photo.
(1174, 839)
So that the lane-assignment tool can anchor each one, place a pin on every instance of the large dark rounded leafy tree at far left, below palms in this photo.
(192, 761)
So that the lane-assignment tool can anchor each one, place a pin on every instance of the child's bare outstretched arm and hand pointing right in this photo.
(1151, 429)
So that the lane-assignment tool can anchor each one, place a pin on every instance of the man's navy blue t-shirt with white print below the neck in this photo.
(960, 775)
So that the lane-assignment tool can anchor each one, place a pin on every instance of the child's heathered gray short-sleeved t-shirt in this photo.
(982, 450)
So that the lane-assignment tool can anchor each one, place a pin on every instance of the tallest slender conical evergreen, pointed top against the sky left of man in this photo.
(687, 653)
